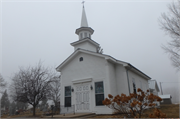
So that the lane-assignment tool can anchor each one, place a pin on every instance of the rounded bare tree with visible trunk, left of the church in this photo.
(31, 85)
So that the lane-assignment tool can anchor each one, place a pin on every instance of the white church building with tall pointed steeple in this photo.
(87, 76)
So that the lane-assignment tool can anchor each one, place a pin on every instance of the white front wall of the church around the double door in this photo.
(91, 67)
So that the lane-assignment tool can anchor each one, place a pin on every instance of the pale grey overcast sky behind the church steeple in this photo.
(34, 30)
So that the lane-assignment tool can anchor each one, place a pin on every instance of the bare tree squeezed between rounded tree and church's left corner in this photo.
(55, 91)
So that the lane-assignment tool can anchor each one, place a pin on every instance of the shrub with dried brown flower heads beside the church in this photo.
(132, 105)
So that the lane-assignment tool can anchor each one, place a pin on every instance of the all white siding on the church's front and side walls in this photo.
(114, 78)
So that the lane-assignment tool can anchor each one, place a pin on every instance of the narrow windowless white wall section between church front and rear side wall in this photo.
(122, 82)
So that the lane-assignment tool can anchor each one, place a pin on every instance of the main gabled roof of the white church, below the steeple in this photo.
(106, 57)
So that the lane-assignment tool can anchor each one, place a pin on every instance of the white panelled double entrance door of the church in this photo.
(82, 98)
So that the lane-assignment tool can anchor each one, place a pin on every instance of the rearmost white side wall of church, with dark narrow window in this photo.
(139, 81)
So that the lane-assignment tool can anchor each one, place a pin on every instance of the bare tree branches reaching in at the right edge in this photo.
(170, 23)
